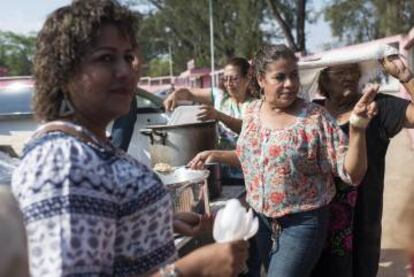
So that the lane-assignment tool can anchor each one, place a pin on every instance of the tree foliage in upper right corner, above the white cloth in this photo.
(355, 21)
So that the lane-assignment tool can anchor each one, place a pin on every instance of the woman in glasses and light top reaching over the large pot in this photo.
(225, 104)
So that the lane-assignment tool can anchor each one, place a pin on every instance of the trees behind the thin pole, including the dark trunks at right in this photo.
(240, 28)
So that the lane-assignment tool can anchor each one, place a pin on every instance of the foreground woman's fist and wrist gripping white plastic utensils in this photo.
(221, 259)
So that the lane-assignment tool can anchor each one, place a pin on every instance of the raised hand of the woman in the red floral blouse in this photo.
(366, 108)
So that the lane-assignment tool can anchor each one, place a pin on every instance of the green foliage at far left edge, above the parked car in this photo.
(16, 53)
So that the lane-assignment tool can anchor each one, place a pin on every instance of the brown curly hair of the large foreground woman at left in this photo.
(61, 46)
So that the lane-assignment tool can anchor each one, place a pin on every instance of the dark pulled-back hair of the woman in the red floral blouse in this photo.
(265, 56)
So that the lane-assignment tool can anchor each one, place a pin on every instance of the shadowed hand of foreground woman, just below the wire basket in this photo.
(192, 224)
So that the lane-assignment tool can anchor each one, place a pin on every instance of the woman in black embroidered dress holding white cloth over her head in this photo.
(354, 236)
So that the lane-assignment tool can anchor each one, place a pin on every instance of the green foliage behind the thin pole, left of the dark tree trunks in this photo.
(185, 25)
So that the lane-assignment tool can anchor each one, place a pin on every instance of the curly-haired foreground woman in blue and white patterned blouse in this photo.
(90, 209)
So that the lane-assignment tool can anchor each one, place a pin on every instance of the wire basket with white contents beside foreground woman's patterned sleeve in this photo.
(188, 189)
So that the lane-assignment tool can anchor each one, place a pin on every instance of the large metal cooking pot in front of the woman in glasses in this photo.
(178, 144)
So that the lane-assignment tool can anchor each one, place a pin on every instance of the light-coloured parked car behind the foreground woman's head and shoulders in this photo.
(17, 123)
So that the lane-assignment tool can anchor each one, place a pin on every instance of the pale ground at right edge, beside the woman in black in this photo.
(399, 188)
